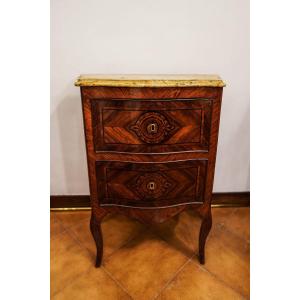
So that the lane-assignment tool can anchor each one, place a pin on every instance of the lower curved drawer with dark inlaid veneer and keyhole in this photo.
(150, 184)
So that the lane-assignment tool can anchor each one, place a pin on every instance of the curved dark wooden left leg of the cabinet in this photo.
(95, 226)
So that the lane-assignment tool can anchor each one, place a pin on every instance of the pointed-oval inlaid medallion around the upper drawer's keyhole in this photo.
(153, 128)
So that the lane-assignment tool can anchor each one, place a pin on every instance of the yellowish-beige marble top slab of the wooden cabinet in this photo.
(135, 80)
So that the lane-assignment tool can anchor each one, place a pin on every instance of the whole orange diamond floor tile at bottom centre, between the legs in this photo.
(144, 265)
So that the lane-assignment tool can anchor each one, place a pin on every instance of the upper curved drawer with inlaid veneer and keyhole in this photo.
(151, 126)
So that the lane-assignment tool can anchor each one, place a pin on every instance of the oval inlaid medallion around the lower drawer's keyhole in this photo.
(151, 185)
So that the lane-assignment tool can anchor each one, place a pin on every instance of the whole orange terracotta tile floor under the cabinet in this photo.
(144, 263)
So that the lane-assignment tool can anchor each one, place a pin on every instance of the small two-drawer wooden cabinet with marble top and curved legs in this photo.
(151, 143)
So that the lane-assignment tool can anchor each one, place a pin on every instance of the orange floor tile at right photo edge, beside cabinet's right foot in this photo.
(228, 258)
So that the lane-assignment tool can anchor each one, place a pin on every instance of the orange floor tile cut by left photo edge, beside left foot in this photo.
(68, 260)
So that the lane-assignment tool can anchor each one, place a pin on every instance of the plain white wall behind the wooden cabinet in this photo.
(143, 36)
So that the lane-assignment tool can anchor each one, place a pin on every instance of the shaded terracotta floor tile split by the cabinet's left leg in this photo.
(116, 230)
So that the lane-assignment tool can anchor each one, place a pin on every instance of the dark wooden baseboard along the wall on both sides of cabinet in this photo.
(82, 202)
